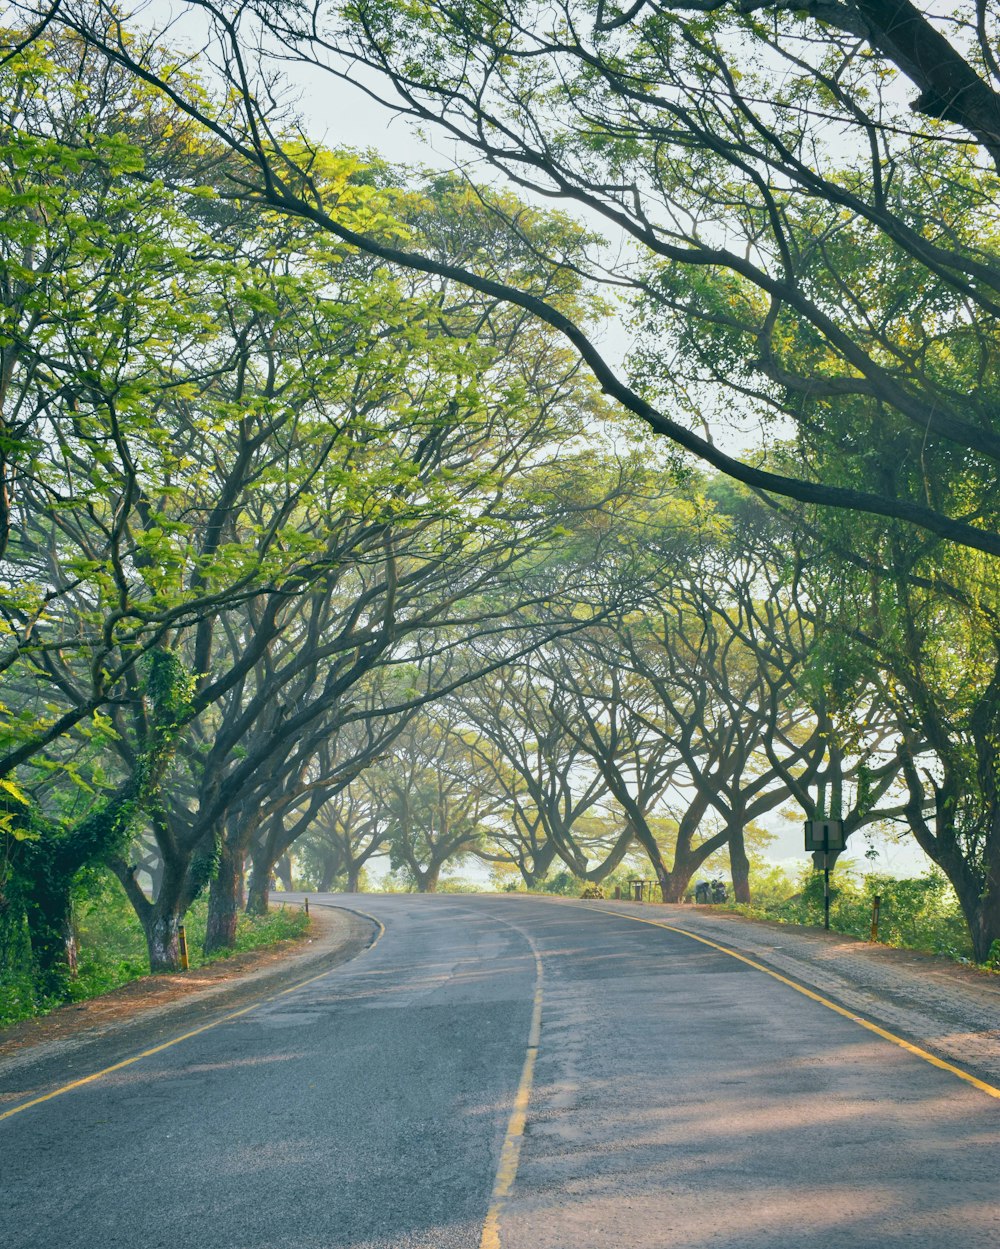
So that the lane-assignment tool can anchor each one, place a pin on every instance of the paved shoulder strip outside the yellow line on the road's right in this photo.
(946, 1009)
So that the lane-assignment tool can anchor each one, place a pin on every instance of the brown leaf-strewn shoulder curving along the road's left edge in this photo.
(145, 1011)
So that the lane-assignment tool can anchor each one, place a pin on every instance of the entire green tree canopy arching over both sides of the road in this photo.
(239, 443)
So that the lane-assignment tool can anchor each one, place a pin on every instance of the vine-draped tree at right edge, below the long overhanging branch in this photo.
(916, 626)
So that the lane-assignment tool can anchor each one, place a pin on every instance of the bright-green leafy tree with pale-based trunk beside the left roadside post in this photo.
(199, 526)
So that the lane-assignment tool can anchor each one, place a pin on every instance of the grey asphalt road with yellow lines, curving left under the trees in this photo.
(676, 1097)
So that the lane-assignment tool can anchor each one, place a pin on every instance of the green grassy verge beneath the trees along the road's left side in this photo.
(113, 951)
